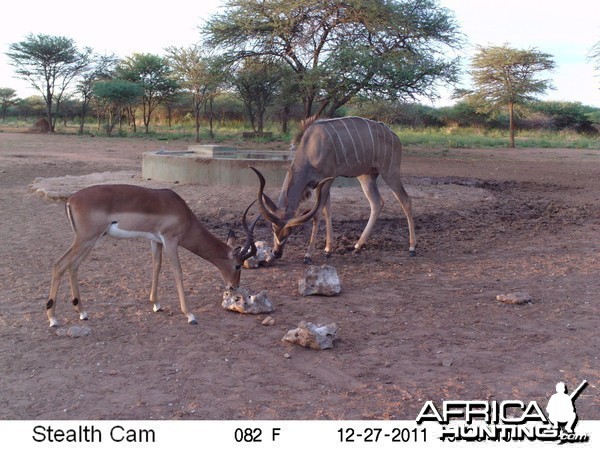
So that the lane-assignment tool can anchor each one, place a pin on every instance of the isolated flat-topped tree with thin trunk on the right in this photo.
(507, 77)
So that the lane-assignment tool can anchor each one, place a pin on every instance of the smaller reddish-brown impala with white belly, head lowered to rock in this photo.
(160, 215)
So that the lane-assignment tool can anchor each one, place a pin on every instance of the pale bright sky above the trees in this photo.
(565, 30)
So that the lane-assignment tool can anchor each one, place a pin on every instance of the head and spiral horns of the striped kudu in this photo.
(282, 225)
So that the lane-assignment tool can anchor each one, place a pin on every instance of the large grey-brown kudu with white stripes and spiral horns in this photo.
(348, 147)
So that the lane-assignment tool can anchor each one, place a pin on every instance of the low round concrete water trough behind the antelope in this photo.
(220, 165)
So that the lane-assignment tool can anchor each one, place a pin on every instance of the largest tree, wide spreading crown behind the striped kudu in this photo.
(339, 49)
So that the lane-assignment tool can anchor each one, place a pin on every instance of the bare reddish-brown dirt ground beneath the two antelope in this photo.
(489, 222)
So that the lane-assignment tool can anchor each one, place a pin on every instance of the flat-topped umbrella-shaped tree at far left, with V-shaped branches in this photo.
(49, 63)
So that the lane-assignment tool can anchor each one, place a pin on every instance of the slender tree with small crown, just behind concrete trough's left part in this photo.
(195, 72)
